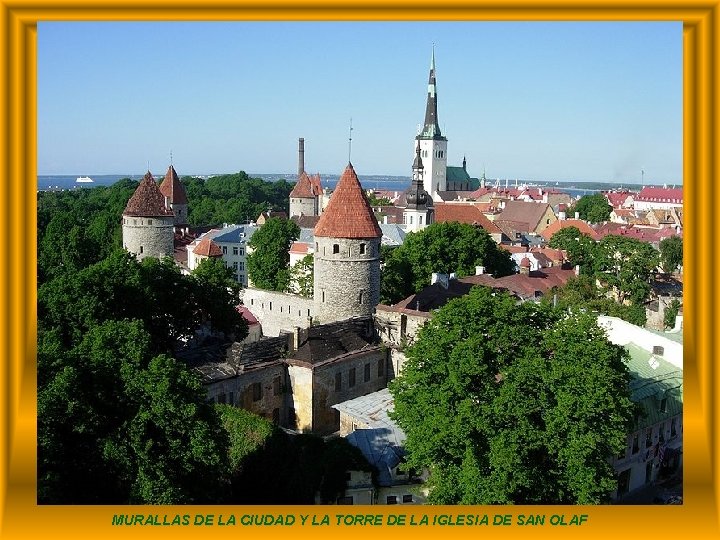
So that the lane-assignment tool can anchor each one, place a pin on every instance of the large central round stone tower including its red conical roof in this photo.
(347, 254)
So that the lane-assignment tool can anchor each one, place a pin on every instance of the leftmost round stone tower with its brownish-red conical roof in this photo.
(147, 222)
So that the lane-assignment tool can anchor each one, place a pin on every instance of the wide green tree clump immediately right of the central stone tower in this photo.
(443, 248)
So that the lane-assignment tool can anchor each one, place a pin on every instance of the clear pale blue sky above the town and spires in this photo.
(564, 101)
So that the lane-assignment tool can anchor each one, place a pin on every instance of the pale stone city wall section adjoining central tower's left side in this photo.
(278, 312)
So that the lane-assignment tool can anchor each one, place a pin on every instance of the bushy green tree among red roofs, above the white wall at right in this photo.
(626, 265)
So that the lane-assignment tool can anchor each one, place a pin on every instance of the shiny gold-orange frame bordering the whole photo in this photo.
(20, 517)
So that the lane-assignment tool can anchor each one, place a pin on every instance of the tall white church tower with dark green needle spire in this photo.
(433, 146)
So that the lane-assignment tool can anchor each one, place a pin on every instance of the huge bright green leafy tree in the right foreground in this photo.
(499, 419)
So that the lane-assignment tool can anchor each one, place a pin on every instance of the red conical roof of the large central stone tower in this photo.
(348, 214)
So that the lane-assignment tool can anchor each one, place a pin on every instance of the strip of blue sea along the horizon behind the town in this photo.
(376, 182)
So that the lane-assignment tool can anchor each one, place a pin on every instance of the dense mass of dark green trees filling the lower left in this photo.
(120, 420)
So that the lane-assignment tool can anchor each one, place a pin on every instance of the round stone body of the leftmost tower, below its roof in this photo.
(148, 236)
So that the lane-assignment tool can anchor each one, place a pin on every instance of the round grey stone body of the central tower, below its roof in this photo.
(346, 277)
